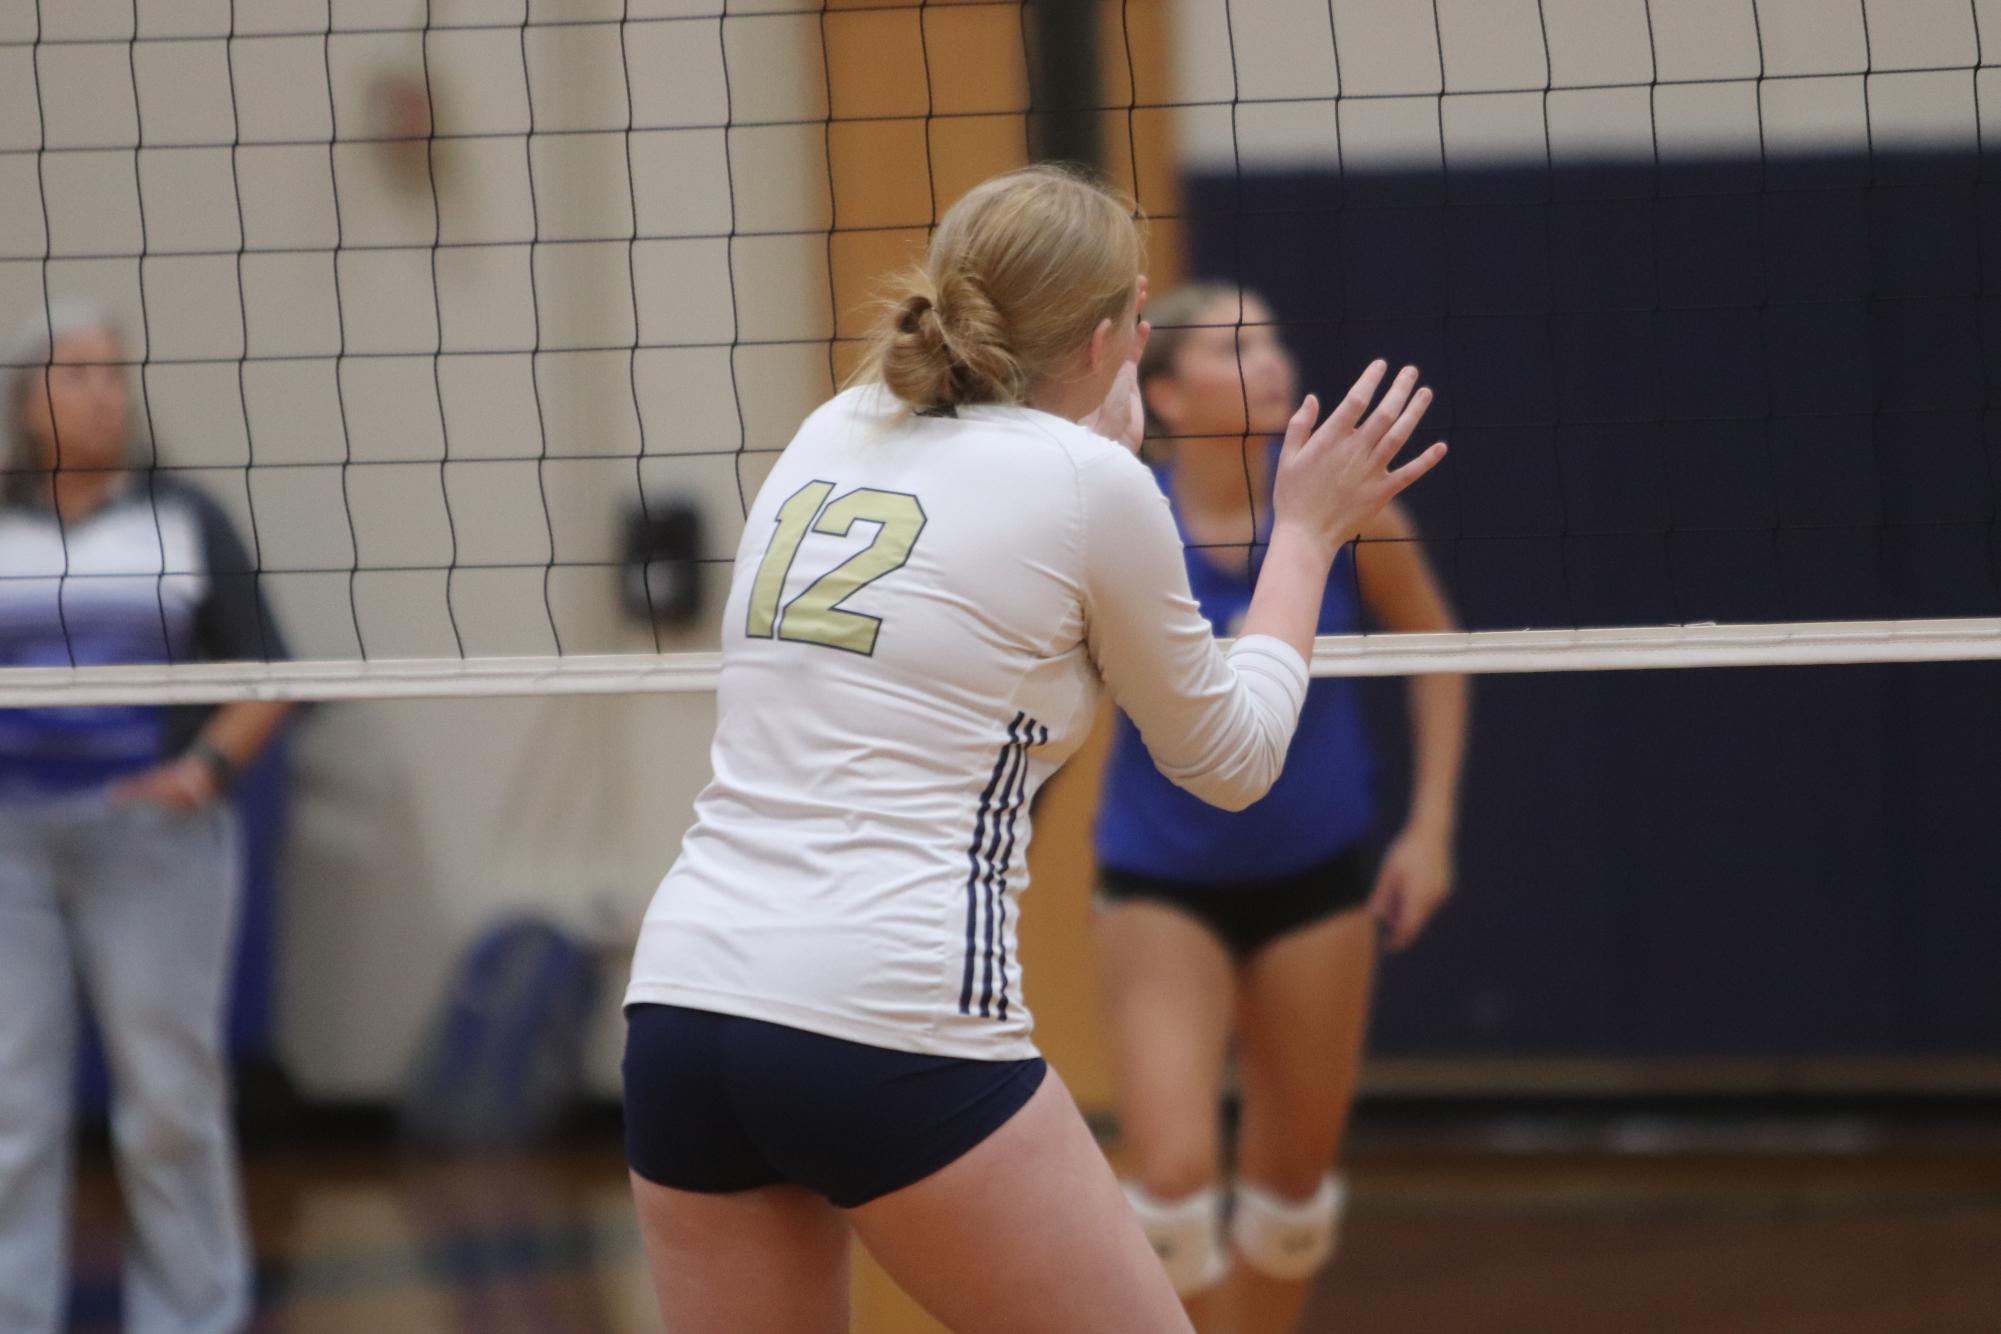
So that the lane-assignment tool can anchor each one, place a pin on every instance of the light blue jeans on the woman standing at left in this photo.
(135, 907)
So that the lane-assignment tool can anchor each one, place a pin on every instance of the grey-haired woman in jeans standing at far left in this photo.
(119, 853)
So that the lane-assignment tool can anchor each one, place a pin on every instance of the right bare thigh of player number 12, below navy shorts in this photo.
(1024, 1235)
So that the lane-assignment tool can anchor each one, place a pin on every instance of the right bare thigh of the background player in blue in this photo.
(1304, 1015)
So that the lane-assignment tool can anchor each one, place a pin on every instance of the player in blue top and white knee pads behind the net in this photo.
(1248, 925)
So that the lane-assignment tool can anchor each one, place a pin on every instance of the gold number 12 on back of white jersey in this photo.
(815, 617)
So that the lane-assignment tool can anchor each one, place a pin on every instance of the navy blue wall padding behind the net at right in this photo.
(1722, 391)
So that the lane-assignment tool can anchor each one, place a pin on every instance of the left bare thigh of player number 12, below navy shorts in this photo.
(769, 1259)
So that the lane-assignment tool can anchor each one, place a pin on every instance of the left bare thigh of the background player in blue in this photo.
(1170, 995)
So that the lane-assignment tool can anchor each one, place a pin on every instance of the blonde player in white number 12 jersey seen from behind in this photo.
(825, 1021)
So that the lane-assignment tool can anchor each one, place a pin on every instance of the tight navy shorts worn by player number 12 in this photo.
(717, 1103)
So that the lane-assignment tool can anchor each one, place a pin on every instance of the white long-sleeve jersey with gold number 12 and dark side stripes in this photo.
(919, 623)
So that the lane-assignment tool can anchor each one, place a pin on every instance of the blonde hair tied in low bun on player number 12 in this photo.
(1018, 277)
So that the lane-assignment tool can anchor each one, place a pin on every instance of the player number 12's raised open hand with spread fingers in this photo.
(1336, 475)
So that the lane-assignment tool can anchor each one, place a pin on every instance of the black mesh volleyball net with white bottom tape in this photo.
(485, 321)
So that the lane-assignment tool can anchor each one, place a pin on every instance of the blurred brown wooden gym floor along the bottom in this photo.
(1514, 1229)
